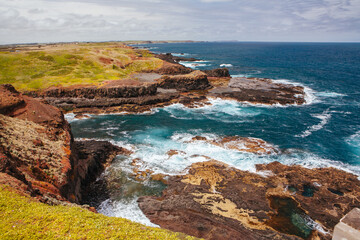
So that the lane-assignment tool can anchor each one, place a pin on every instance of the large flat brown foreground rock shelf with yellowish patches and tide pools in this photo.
(216, 201)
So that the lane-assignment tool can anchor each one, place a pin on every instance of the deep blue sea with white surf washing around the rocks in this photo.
(324, 132)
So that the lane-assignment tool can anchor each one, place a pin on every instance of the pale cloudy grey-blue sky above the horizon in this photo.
(29, 21)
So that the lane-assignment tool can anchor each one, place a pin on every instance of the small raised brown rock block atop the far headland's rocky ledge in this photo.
(196, 80)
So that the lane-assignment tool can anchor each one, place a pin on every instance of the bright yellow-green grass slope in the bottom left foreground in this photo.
(23, 218)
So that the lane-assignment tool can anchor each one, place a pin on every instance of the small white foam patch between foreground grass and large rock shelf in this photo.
(125, 208)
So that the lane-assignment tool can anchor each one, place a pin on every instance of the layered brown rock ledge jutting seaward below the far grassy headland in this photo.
(172, 83)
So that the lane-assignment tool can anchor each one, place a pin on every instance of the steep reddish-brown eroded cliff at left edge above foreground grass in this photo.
(37, 151)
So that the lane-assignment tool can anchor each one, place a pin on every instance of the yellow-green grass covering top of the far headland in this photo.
(73, 65)
